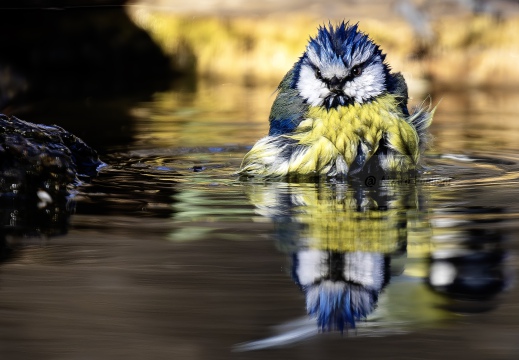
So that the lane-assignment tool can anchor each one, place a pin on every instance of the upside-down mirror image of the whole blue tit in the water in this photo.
(340, 239)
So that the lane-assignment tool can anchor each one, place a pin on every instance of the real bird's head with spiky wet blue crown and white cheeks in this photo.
(341, 66)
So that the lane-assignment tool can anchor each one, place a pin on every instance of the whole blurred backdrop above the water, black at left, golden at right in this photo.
(451, 43)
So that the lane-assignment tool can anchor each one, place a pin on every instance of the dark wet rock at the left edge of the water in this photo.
(40, 165)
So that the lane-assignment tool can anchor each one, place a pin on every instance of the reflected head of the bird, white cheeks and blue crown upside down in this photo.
(340, 288)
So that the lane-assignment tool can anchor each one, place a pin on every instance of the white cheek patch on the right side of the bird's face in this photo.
(368, 85)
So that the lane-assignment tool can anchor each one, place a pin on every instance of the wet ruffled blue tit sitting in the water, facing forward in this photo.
(340, 111)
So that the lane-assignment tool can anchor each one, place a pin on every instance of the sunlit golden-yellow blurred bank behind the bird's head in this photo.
(446, 43)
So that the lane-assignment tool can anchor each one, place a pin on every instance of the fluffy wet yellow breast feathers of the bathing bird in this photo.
(328, 141)
